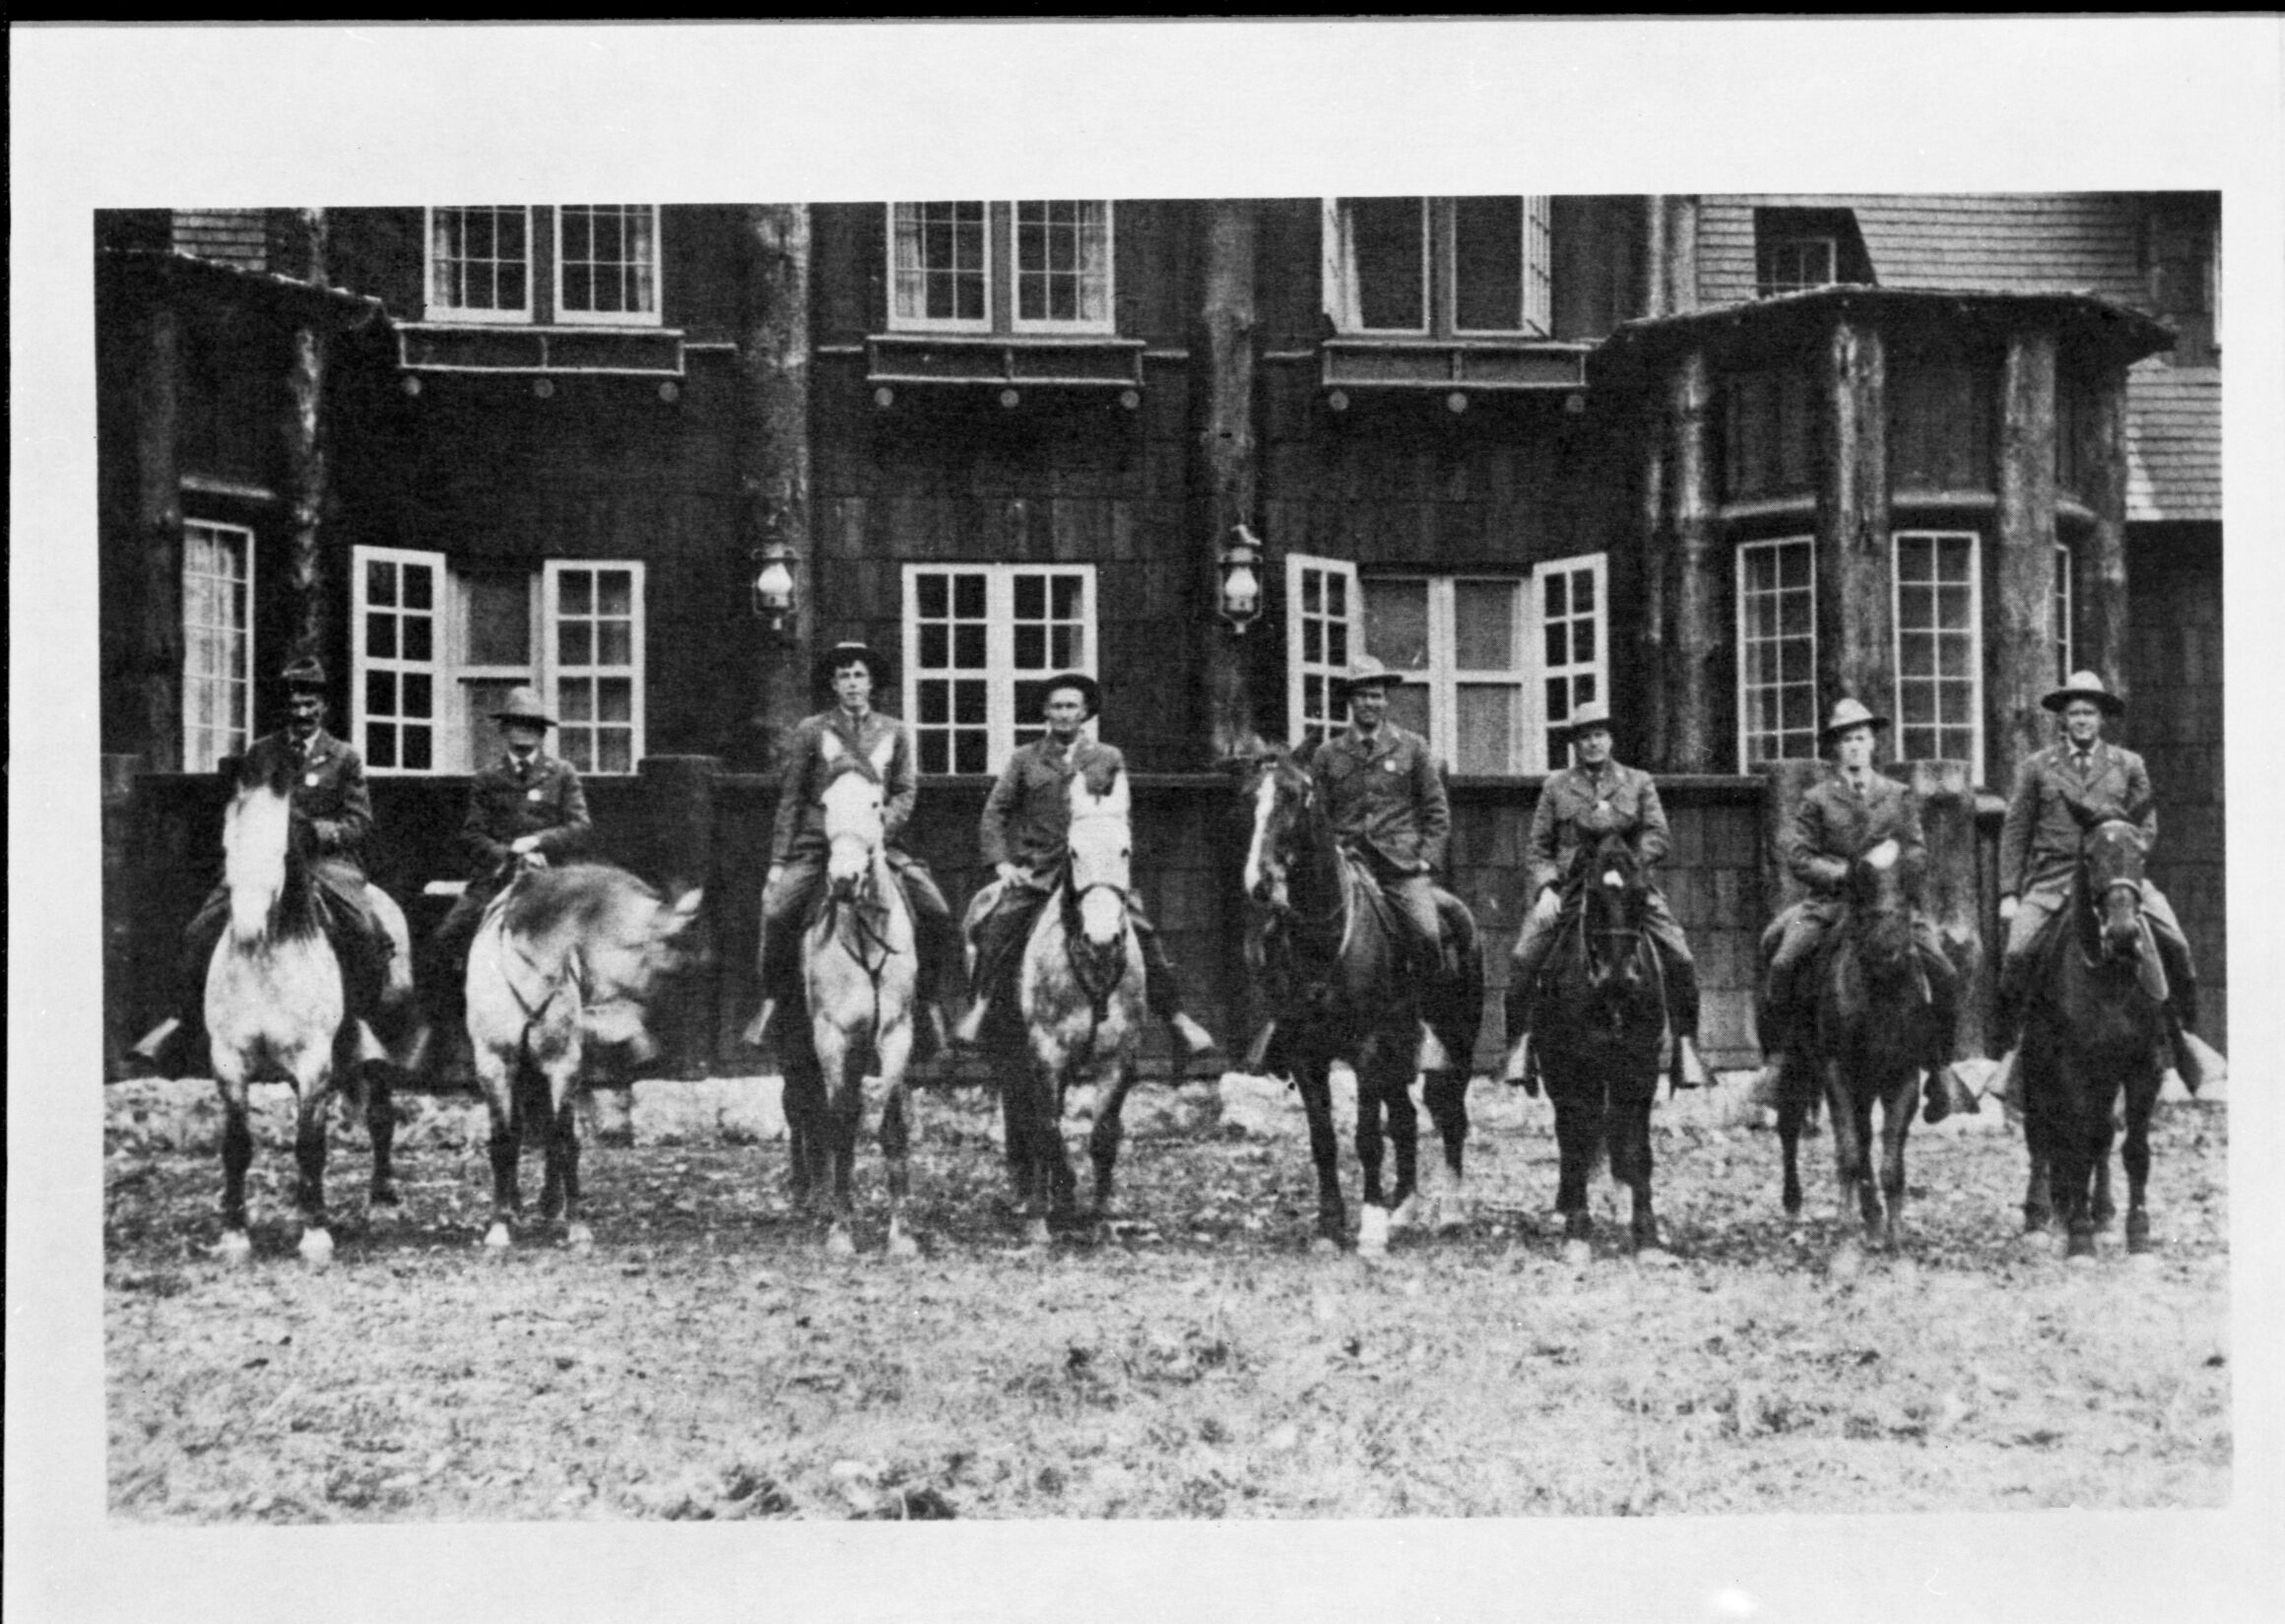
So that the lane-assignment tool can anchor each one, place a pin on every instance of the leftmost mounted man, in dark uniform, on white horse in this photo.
(332, 817)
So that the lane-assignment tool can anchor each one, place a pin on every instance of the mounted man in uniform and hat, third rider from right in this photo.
(1578, 807)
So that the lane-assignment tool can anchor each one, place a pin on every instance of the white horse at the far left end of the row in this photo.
(275, 1011)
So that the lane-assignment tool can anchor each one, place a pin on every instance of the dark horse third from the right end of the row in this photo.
(1601, 1027)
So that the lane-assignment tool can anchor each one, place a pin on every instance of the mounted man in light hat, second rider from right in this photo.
(1838, 821)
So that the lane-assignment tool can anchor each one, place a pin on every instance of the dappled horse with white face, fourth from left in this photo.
(1082, 999)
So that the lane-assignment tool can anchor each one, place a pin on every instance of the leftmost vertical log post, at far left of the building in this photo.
(159, 536)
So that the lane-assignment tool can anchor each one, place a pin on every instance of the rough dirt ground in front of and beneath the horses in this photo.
(709, 1362)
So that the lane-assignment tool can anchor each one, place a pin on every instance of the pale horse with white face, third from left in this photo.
(860, 976)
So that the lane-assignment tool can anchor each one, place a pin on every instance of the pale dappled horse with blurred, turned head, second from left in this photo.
(563, 958)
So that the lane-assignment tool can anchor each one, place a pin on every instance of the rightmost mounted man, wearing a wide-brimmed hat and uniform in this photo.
(2039, 851)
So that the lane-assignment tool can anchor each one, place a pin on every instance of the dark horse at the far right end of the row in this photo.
(2094, 1024)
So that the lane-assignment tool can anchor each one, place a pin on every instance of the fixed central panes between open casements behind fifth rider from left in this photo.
(1461, 645)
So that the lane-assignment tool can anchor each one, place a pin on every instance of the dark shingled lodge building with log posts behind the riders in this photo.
(1713, 458)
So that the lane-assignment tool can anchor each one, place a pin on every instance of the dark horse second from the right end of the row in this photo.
(1866, 1036)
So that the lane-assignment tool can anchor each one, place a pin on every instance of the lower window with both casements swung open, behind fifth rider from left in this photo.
(1491, 664)
